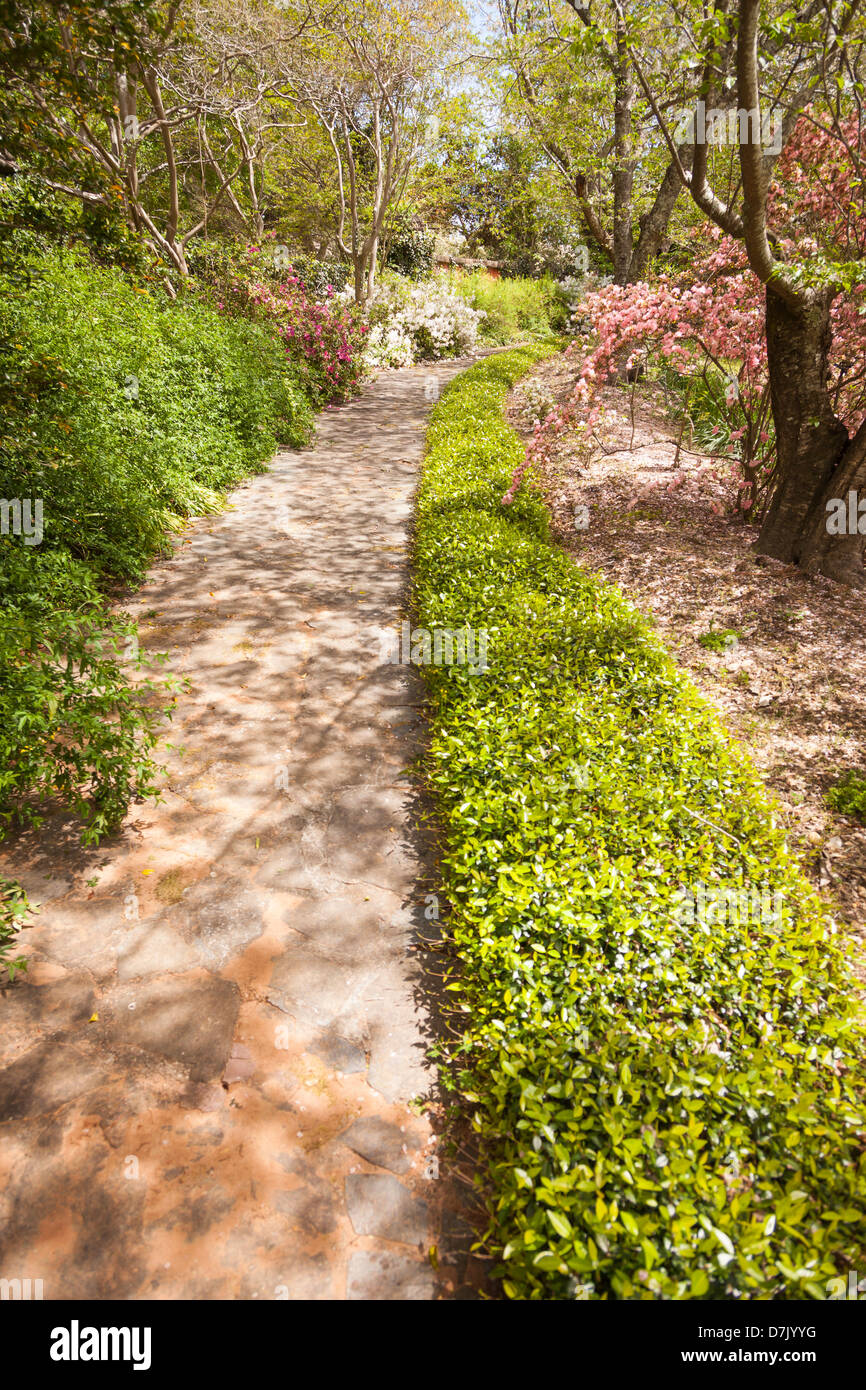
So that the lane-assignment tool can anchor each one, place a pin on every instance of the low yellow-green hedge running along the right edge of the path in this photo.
(667, 1109)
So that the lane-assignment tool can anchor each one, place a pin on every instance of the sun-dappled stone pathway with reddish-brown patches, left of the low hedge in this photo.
(209, 1077)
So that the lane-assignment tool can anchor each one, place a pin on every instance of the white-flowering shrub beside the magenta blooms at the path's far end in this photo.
(420, 322)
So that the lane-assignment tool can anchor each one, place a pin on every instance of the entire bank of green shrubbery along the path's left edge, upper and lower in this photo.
(122, 414)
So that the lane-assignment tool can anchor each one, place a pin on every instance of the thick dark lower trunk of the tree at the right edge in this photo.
(817, 462)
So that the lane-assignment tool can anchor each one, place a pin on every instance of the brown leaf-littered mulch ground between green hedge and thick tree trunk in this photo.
(793, 689)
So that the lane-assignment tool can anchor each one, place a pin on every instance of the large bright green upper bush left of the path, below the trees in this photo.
(127, 412)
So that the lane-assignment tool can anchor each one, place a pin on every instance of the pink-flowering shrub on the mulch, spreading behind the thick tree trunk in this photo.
(708, 323)
